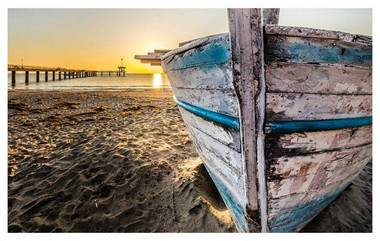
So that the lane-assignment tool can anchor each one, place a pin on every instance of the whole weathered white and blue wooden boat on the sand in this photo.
(281, 116)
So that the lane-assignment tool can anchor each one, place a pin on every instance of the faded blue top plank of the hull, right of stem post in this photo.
(308, 51)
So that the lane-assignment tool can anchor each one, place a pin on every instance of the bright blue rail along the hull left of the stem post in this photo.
(222, 119)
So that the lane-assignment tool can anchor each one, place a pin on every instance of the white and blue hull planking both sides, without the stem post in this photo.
(305, 169)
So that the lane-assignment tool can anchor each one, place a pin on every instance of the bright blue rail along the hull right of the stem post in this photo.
(316, 125)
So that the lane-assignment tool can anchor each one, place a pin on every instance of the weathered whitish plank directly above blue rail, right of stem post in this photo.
(294, 106)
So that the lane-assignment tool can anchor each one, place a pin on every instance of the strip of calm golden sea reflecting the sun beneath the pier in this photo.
(105, 82)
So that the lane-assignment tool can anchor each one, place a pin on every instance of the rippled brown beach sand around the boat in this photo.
(120, 161)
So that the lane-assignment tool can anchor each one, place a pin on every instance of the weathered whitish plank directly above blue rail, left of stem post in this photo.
(221, 101)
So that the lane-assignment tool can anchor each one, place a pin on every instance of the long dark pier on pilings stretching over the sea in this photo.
(60, 73)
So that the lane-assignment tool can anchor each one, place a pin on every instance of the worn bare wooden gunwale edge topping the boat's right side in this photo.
(352, 39)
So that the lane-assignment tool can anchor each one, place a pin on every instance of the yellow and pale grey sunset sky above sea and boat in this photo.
(98, 38)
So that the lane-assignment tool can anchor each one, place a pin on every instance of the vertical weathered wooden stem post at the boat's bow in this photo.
(248, 77)
